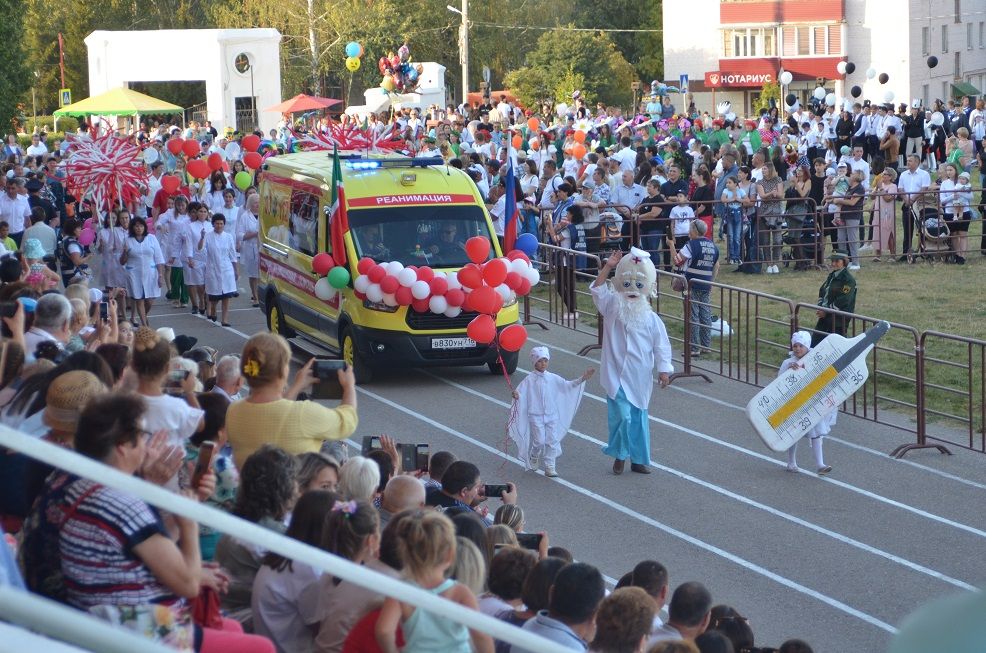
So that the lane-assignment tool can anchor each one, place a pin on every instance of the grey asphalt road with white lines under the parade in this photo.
(838, 561)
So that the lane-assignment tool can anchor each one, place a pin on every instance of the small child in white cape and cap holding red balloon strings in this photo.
(546, 405)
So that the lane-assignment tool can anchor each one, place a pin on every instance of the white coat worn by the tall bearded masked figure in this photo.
(630, 356)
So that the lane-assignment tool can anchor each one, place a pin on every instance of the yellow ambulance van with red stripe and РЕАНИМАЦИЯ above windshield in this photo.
(416, 211)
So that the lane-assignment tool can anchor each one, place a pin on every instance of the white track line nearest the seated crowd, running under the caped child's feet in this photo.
(694, 541)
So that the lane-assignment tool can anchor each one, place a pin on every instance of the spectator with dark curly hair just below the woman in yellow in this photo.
(267, 493)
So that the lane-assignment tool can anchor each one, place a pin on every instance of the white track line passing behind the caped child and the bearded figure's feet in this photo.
(756, 504)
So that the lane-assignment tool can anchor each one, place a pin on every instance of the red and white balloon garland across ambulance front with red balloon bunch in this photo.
(482, 286)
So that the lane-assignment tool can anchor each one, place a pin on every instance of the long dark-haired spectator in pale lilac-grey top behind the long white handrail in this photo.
(281, 606)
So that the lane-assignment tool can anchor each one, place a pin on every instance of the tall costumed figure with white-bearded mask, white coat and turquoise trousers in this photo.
(635, 342)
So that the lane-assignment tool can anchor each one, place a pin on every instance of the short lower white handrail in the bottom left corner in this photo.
(71, 626)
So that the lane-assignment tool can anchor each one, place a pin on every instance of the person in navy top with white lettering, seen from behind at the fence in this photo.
(700, 260)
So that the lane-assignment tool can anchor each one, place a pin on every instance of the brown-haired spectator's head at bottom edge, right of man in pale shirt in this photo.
(623, 622)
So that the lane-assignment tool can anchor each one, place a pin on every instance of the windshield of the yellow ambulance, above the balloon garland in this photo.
(417, 235)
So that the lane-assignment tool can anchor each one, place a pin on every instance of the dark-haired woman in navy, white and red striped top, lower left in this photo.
(114, 549)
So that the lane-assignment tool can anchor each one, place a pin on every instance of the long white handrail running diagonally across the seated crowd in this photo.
(222, 522)
